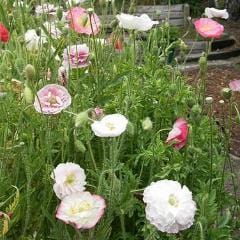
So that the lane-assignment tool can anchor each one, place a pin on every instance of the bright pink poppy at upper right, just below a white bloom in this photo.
(209, 28)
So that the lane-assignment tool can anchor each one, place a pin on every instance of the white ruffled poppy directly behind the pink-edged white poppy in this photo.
(69, 178)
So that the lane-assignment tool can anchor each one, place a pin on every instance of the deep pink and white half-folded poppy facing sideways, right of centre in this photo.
(178, 135)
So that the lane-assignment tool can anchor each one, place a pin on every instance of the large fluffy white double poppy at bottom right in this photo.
(169, 206)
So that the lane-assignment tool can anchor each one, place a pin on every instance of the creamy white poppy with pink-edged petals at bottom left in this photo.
(82, 210)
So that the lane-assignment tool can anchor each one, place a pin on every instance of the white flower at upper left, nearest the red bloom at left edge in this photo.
(33, 41)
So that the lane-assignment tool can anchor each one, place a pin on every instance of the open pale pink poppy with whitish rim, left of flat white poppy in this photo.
(52, 99)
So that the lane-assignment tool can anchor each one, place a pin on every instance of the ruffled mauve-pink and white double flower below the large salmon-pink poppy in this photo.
(76, 56)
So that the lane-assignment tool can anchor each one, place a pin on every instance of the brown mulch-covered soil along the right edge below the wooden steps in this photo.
(217, 79)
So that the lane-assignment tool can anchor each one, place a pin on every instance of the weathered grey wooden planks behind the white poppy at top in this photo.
(176, 15)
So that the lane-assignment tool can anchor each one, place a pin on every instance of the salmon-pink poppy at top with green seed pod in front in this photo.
(81, 22)
